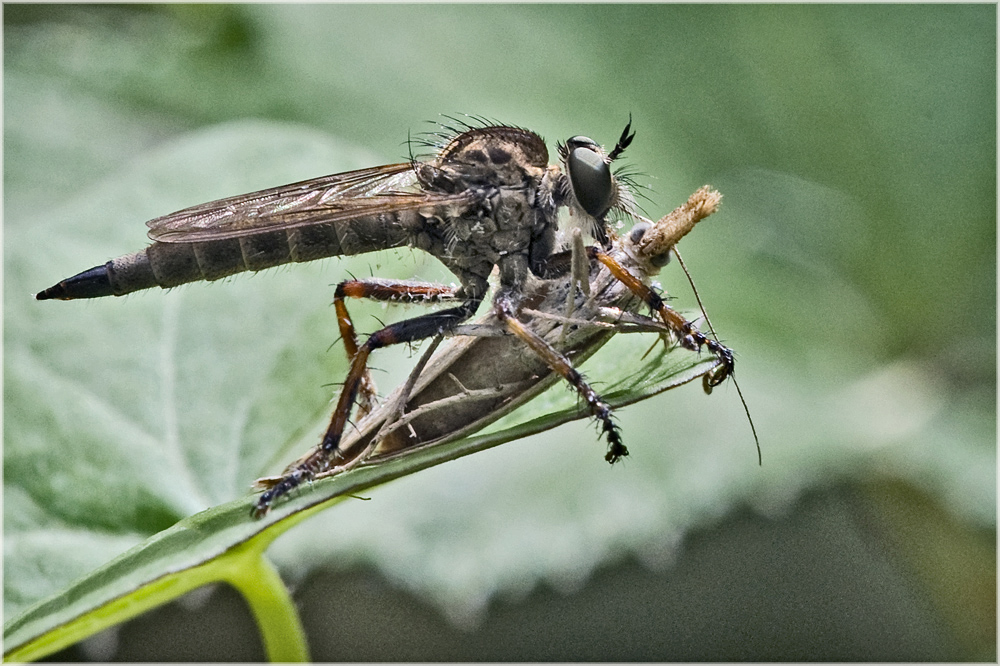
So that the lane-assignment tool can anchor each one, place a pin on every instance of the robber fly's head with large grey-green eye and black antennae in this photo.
(589, 187)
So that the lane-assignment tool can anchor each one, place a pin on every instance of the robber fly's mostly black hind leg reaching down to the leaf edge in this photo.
(409, 330)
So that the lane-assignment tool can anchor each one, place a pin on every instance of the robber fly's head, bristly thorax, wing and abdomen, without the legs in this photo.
(488, 198)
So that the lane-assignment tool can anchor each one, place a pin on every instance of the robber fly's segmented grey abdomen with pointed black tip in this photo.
(168, 265)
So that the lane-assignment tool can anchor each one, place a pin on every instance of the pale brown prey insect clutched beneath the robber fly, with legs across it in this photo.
(484, 373)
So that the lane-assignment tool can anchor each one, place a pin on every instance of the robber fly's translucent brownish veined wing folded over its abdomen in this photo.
(338, 197)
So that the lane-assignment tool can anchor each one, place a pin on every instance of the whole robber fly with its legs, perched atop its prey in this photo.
(486, 200)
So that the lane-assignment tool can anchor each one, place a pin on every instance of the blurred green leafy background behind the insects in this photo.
(852, 268)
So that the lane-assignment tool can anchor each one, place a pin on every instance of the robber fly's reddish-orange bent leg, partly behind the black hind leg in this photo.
(379, 290)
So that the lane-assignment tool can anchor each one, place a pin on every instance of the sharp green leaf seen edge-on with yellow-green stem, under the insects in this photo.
(192, 552)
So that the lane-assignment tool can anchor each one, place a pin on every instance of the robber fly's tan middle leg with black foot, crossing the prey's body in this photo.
(507, 312)
